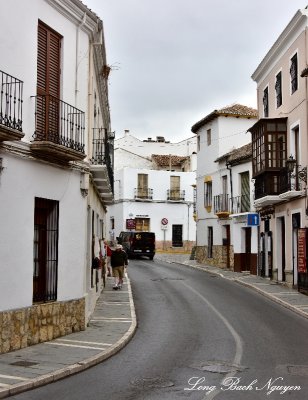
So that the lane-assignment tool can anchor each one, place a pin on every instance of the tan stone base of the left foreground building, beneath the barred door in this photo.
(40, 323)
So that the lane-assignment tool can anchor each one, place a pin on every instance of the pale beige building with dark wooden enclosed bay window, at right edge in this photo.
(279, 141)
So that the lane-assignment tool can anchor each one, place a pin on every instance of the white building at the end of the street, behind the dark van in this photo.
(154, 182)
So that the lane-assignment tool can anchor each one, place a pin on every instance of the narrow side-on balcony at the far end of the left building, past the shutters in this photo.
(102, 163)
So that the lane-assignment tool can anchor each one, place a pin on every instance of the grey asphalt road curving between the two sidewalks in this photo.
(199, 337)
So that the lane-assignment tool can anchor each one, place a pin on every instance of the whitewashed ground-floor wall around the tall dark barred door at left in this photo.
(17, 216)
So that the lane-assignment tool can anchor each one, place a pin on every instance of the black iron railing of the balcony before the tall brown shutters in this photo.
(59, 123)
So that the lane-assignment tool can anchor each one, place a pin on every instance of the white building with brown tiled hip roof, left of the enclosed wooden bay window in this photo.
(224, 190)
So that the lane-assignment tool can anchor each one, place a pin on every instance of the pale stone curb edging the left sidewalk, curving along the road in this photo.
(80, 366)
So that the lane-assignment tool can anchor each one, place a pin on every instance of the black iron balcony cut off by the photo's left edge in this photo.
(10, 107)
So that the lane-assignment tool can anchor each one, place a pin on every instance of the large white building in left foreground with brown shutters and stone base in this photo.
(56, 173)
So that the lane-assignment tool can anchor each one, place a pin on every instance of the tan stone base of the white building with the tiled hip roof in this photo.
(219, 258)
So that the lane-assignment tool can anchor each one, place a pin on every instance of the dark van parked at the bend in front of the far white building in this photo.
(138, 243)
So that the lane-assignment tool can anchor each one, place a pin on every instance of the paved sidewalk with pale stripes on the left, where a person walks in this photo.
(112, 325)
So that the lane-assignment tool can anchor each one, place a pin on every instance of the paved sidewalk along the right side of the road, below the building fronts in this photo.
(287, 297)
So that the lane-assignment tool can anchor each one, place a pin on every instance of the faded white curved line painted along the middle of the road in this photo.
(238, 341)
